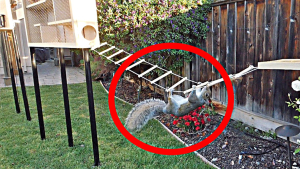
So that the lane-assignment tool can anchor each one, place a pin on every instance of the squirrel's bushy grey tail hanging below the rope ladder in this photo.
(142, 113)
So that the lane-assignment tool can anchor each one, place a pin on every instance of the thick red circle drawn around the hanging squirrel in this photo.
(164, 151)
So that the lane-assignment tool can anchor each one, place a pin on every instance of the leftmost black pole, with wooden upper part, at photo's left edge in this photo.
(12, 76)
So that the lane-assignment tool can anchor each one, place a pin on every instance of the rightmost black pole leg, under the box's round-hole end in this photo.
(91, 106)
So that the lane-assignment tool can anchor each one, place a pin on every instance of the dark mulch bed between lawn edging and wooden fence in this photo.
(235, 140)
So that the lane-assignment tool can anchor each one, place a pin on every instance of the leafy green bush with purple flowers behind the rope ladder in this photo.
(133, 25)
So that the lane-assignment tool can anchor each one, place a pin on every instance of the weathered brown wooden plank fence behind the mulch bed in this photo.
(243, 33)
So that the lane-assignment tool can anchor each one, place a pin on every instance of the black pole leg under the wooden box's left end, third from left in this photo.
(37, 93)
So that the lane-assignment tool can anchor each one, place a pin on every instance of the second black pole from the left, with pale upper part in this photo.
(21, 76)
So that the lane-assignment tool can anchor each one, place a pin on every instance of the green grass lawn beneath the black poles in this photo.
(21, 146)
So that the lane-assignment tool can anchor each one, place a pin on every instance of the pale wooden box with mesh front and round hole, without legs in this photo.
(61, 23)
